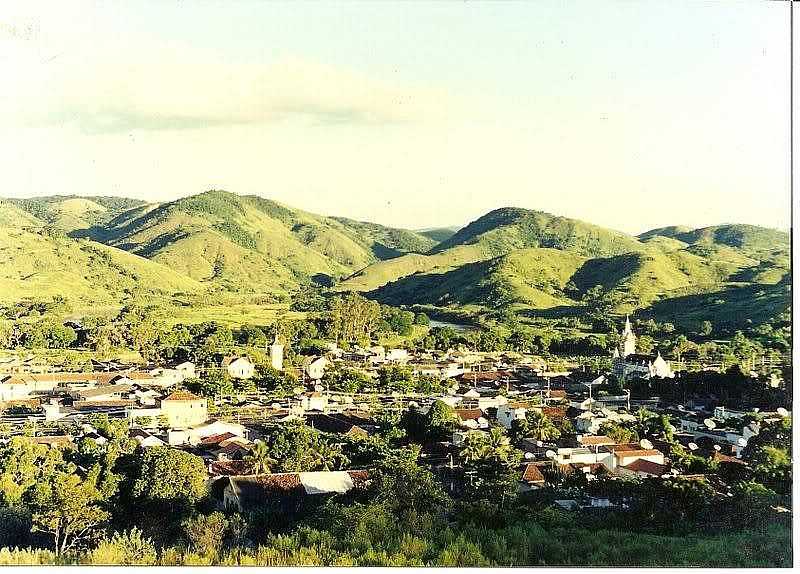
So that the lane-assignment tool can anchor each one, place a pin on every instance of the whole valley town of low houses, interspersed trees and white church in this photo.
(488, 425)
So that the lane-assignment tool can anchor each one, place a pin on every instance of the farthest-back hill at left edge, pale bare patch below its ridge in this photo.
(70, 213)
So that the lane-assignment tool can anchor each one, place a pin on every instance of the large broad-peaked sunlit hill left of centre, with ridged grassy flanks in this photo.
(248, 243)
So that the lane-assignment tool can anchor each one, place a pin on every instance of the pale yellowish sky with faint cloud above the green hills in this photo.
(627, 114)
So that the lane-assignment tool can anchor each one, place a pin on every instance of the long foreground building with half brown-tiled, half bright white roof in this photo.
(245, 493)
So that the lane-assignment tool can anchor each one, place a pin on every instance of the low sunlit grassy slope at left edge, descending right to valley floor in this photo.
(86, 273)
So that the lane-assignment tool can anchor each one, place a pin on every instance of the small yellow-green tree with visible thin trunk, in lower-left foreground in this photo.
(68, 509)
